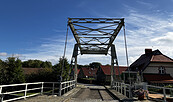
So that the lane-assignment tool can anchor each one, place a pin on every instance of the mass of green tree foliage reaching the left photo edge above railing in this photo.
(11, 71)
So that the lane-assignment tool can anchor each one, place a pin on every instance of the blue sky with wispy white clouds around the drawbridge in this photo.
(36, 29)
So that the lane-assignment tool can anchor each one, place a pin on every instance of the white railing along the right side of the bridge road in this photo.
(126, 90)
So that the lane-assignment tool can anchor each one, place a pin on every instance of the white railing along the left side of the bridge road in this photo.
(22, 91)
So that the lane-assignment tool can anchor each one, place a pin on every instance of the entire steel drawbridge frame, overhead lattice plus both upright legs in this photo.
(95, 39)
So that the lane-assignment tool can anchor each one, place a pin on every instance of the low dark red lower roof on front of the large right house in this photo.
(158, 78)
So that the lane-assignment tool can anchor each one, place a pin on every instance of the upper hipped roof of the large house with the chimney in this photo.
(144, 60)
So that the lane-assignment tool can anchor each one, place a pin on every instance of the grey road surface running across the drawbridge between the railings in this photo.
(82, 93)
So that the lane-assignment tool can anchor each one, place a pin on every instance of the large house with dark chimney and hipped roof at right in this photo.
(154, 67)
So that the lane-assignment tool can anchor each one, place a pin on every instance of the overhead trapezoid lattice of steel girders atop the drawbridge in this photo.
(95, 35)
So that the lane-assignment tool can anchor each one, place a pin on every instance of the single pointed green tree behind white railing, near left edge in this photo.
(14, 71)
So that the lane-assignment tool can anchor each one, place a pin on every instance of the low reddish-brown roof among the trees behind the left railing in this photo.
(32, 70)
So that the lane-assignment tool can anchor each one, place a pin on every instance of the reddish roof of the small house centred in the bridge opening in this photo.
(89, 71)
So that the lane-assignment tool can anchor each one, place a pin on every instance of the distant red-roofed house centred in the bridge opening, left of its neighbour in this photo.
(87, 73)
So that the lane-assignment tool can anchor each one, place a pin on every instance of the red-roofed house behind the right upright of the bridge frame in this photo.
(104, 73)
